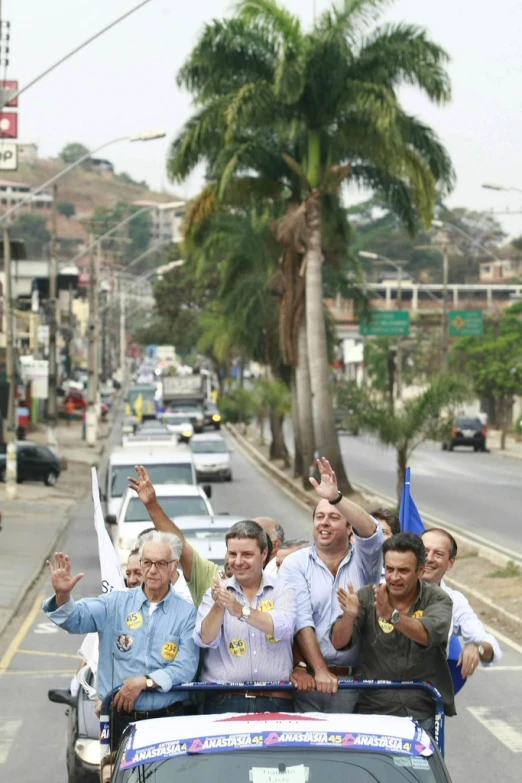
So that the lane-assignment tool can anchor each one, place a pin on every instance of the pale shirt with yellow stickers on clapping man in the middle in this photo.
(242, 653)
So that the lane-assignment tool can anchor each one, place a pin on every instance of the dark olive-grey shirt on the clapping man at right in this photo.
(388, 654)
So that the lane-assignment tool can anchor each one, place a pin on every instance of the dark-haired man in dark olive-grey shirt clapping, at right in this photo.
(402, 628)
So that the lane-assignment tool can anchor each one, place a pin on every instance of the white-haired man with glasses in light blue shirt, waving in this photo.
(146, 643)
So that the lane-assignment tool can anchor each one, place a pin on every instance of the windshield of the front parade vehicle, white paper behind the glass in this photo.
(288, 765)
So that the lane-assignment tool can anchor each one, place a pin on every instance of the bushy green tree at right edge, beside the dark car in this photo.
(494, 363)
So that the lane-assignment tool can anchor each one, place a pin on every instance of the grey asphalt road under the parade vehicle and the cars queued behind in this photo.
(32, 731)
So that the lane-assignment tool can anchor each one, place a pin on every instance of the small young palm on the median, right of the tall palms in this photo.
(419, 419)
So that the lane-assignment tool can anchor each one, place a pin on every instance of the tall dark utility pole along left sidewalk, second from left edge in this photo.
(52, 414)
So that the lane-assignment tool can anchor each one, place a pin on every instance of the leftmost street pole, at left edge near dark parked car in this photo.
(10, 467)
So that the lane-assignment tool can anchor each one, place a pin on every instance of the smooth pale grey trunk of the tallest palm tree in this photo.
(325, 434)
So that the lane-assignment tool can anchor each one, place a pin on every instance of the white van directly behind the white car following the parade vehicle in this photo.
(164, 465)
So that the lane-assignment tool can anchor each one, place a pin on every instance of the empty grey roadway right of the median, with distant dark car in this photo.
(481, 492)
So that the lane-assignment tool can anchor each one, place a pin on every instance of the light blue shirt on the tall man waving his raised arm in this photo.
(316, 588)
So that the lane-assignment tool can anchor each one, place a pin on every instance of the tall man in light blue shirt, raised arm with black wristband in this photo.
(316, 573)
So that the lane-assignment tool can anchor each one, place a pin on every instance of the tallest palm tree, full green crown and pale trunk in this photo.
(325, 102)
